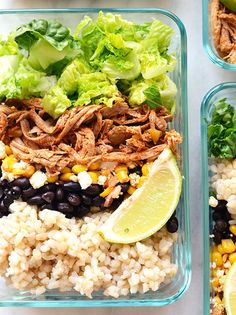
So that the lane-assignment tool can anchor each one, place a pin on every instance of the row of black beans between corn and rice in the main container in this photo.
(67, 197)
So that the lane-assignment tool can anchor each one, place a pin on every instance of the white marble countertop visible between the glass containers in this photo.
(202, 75)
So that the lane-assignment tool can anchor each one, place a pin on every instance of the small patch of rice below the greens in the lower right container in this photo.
(223, 181)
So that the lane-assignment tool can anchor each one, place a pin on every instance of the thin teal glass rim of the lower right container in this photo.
(205, 192)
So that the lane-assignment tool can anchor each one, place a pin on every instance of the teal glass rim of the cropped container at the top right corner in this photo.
(206, 42)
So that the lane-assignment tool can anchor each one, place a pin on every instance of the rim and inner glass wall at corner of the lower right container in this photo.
(225, 90)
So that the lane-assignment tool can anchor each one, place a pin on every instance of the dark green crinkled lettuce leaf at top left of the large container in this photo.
(46, 42)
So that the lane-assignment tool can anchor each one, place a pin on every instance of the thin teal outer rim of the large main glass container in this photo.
(187, 243)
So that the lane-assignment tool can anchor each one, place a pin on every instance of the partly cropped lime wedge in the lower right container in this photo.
(230, 291)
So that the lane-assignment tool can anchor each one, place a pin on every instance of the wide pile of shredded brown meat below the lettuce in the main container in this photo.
(84, 134)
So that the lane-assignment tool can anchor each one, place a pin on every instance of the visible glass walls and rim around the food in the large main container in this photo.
(167, 293)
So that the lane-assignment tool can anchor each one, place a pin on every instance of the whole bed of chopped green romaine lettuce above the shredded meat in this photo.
(105, 57)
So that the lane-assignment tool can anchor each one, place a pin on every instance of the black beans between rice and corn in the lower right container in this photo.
(221, 218)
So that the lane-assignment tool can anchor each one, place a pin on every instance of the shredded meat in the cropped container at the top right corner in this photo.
(223, 26)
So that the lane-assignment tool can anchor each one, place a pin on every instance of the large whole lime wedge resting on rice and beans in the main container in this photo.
(150, 207)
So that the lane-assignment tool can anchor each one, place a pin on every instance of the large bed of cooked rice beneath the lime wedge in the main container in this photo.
(42, 250)
